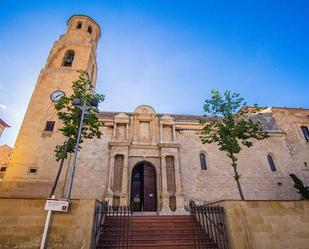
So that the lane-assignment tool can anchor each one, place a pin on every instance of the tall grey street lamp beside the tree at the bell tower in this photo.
(85, 110)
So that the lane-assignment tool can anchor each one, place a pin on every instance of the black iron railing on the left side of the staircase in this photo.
(113, 227)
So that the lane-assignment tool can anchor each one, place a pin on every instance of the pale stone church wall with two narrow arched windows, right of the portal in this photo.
(257, 180)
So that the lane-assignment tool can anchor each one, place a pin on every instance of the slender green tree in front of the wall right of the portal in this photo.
(230, 127)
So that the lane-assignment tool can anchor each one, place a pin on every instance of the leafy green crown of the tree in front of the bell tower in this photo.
(70, 115)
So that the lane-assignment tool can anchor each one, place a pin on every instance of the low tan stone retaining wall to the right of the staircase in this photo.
(267, 224)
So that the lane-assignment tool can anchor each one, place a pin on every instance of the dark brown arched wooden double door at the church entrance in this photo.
(143, 188)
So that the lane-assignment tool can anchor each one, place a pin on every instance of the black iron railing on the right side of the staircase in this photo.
(209, 226)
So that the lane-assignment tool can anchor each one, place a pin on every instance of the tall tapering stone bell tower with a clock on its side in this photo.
(32, 166)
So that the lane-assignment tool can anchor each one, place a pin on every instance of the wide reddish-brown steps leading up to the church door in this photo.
(153, 232)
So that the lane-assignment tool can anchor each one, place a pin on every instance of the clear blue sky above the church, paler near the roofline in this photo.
(168, 54)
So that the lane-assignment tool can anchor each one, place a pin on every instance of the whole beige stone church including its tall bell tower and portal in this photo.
(151, 161)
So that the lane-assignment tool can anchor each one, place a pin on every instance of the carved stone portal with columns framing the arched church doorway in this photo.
(145, 137)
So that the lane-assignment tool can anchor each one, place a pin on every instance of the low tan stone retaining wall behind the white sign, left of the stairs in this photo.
(22, 223)
